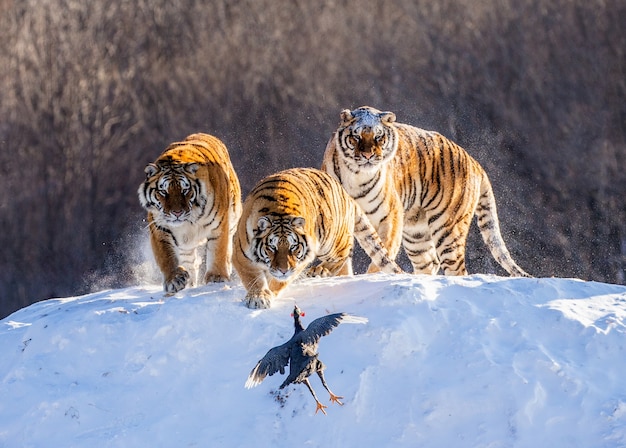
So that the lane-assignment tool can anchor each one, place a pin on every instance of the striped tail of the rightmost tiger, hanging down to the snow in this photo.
(487, 219)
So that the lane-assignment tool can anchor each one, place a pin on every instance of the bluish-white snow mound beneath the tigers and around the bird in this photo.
(476, 361)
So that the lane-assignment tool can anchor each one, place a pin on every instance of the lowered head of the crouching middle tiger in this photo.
(282, 245)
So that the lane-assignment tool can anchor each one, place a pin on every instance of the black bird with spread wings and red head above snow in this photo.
(300, 353)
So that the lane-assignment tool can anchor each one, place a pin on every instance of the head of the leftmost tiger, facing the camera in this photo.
(172, 193)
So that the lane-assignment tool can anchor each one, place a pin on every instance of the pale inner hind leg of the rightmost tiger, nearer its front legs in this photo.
(418, 244)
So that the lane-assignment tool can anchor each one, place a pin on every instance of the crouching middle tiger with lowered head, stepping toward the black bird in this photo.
(292, 219)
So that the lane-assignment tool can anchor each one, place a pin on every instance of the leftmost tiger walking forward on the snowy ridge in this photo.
(193, 199)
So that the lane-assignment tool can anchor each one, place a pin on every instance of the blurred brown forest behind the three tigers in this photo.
(91, 91)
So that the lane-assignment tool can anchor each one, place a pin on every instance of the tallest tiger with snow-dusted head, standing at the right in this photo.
(419, 189)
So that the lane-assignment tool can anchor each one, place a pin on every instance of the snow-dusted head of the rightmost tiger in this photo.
(366, 137)
